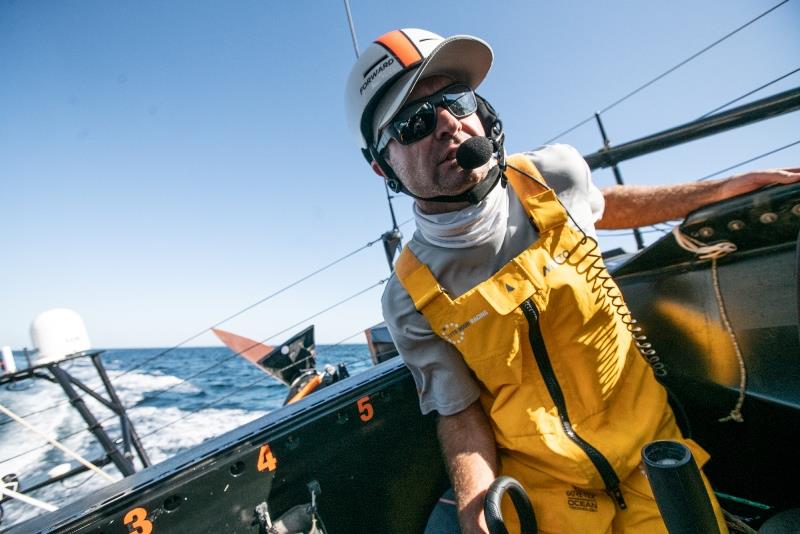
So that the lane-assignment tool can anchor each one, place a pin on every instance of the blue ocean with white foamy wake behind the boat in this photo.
(164, 397)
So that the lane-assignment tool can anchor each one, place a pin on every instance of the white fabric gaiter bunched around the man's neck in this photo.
(470, 227)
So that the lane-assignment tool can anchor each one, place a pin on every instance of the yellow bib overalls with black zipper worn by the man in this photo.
(570, 399)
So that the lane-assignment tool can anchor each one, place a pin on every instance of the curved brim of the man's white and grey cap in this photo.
(462, 58)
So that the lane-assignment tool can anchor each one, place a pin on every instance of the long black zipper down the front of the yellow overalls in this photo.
(610, 478)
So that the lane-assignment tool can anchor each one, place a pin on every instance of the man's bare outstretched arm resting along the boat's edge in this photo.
(629, 206)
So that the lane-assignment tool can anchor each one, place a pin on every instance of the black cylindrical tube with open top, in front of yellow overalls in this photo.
(678, 488)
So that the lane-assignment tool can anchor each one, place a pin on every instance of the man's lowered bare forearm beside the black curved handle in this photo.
(469, 449)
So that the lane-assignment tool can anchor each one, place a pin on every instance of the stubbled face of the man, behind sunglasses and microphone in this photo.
(428, 167)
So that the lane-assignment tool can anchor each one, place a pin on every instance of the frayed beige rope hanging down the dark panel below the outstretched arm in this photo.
(713, 252)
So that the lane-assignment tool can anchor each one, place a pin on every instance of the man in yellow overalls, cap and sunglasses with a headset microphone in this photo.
(496, 306)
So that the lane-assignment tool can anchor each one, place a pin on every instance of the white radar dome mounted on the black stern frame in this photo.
(57, 334)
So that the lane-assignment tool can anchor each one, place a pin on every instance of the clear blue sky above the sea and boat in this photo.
(165, 164)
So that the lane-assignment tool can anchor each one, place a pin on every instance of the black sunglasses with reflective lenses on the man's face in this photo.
(417, 120)
